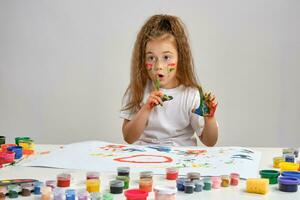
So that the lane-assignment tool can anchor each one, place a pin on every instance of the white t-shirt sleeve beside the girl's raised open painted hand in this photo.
(197, 121)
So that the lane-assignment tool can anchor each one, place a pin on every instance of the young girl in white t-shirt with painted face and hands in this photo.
(159, 106)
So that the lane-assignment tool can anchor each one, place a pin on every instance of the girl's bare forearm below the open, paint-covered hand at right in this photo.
(209, 134)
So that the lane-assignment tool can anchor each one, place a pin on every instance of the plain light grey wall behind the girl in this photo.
(64, 66)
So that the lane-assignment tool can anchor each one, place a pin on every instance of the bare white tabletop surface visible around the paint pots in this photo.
(78, 177)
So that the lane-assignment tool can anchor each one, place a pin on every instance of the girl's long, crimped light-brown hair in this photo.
(157, 26)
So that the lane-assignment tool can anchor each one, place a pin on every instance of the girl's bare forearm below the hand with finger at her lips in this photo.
(133, 129)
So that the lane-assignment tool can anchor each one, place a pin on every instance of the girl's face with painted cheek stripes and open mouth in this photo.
(161, 61)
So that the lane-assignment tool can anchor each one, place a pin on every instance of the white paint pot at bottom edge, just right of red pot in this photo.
(164, 193)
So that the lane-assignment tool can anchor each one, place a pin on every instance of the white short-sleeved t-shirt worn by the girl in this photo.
(172, 124)
